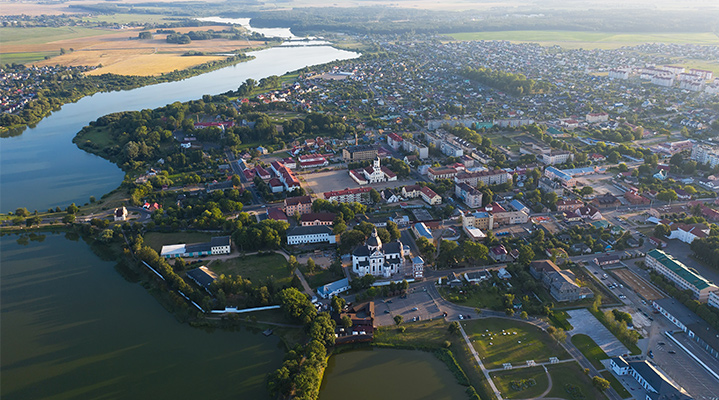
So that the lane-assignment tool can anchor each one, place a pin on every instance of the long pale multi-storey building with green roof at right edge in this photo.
(683, 277)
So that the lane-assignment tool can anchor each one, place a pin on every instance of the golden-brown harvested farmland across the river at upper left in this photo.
(116, 51)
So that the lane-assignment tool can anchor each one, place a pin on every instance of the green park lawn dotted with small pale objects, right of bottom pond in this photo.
(530, 342)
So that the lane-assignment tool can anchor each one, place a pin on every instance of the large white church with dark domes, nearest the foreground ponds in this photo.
(376, 258)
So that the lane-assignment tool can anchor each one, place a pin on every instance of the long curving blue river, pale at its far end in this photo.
(42, 168)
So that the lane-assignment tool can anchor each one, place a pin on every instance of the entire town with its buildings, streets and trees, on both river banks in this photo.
(462, 197)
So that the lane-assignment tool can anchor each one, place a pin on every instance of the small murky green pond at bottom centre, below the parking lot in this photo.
(379, 374)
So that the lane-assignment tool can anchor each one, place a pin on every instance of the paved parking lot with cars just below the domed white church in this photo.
(417, 304)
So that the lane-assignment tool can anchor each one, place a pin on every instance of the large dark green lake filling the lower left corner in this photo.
(73, 328)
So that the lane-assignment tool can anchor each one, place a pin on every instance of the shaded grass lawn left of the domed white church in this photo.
(256, 268)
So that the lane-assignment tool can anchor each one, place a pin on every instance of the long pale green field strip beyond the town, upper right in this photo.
(601, 40)
